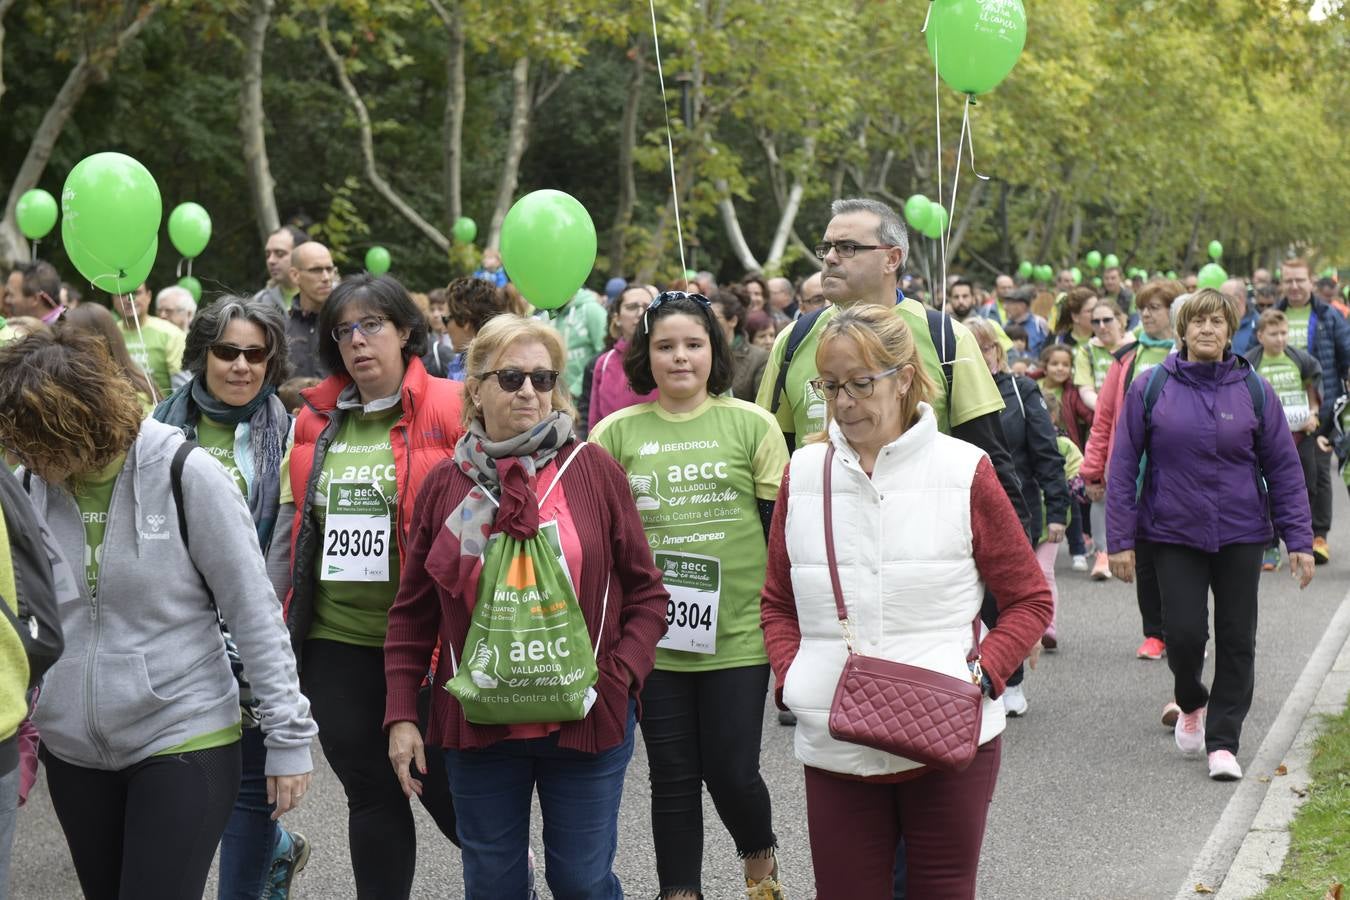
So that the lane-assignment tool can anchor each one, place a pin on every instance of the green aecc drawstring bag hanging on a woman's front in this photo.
(529, 656)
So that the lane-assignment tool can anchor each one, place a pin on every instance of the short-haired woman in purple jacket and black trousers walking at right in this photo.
(1216, 476)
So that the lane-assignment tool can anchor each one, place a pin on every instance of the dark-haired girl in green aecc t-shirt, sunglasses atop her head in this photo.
(704, 470)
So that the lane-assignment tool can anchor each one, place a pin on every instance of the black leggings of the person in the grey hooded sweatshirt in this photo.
(148, 832)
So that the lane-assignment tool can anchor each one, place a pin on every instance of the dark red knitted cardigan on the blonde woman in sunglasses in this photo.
(618, 554)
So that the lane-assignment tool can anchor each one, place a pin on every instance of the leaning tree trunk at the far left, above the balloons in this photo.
(91, 67)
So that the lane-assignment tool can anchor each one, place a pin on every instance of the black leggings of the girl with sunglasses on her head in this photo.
(704, 728)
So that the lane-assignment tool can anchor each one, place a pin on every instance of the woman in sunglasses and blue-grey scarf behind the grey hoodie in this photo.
(237, 356)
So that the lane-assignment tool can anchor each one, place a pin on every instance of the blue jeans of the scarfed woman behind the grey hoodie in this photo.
(250, 836)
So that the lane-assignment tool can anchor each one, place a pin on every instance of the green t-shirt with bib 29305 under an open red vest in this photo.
(357, 505)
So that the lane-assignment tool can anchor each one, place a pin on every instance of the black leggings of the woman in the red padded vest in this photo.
(346, 689)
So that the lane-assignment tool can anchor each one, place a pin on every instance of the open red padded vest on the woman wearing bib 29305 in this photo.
(425, 435)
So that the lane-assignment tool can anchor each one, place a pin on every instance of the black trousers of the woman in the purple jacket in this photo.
(1187, 577)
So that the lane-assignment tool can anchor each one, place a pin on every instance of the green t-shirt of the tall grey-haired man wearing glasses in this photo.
(803, 411)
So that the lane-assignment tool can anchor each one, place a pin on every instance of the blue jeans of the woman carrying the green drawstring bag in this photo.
(578, 797)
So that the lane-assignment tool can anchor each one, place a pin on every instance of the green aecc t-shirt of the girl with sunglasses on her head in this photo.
(696, 478)
